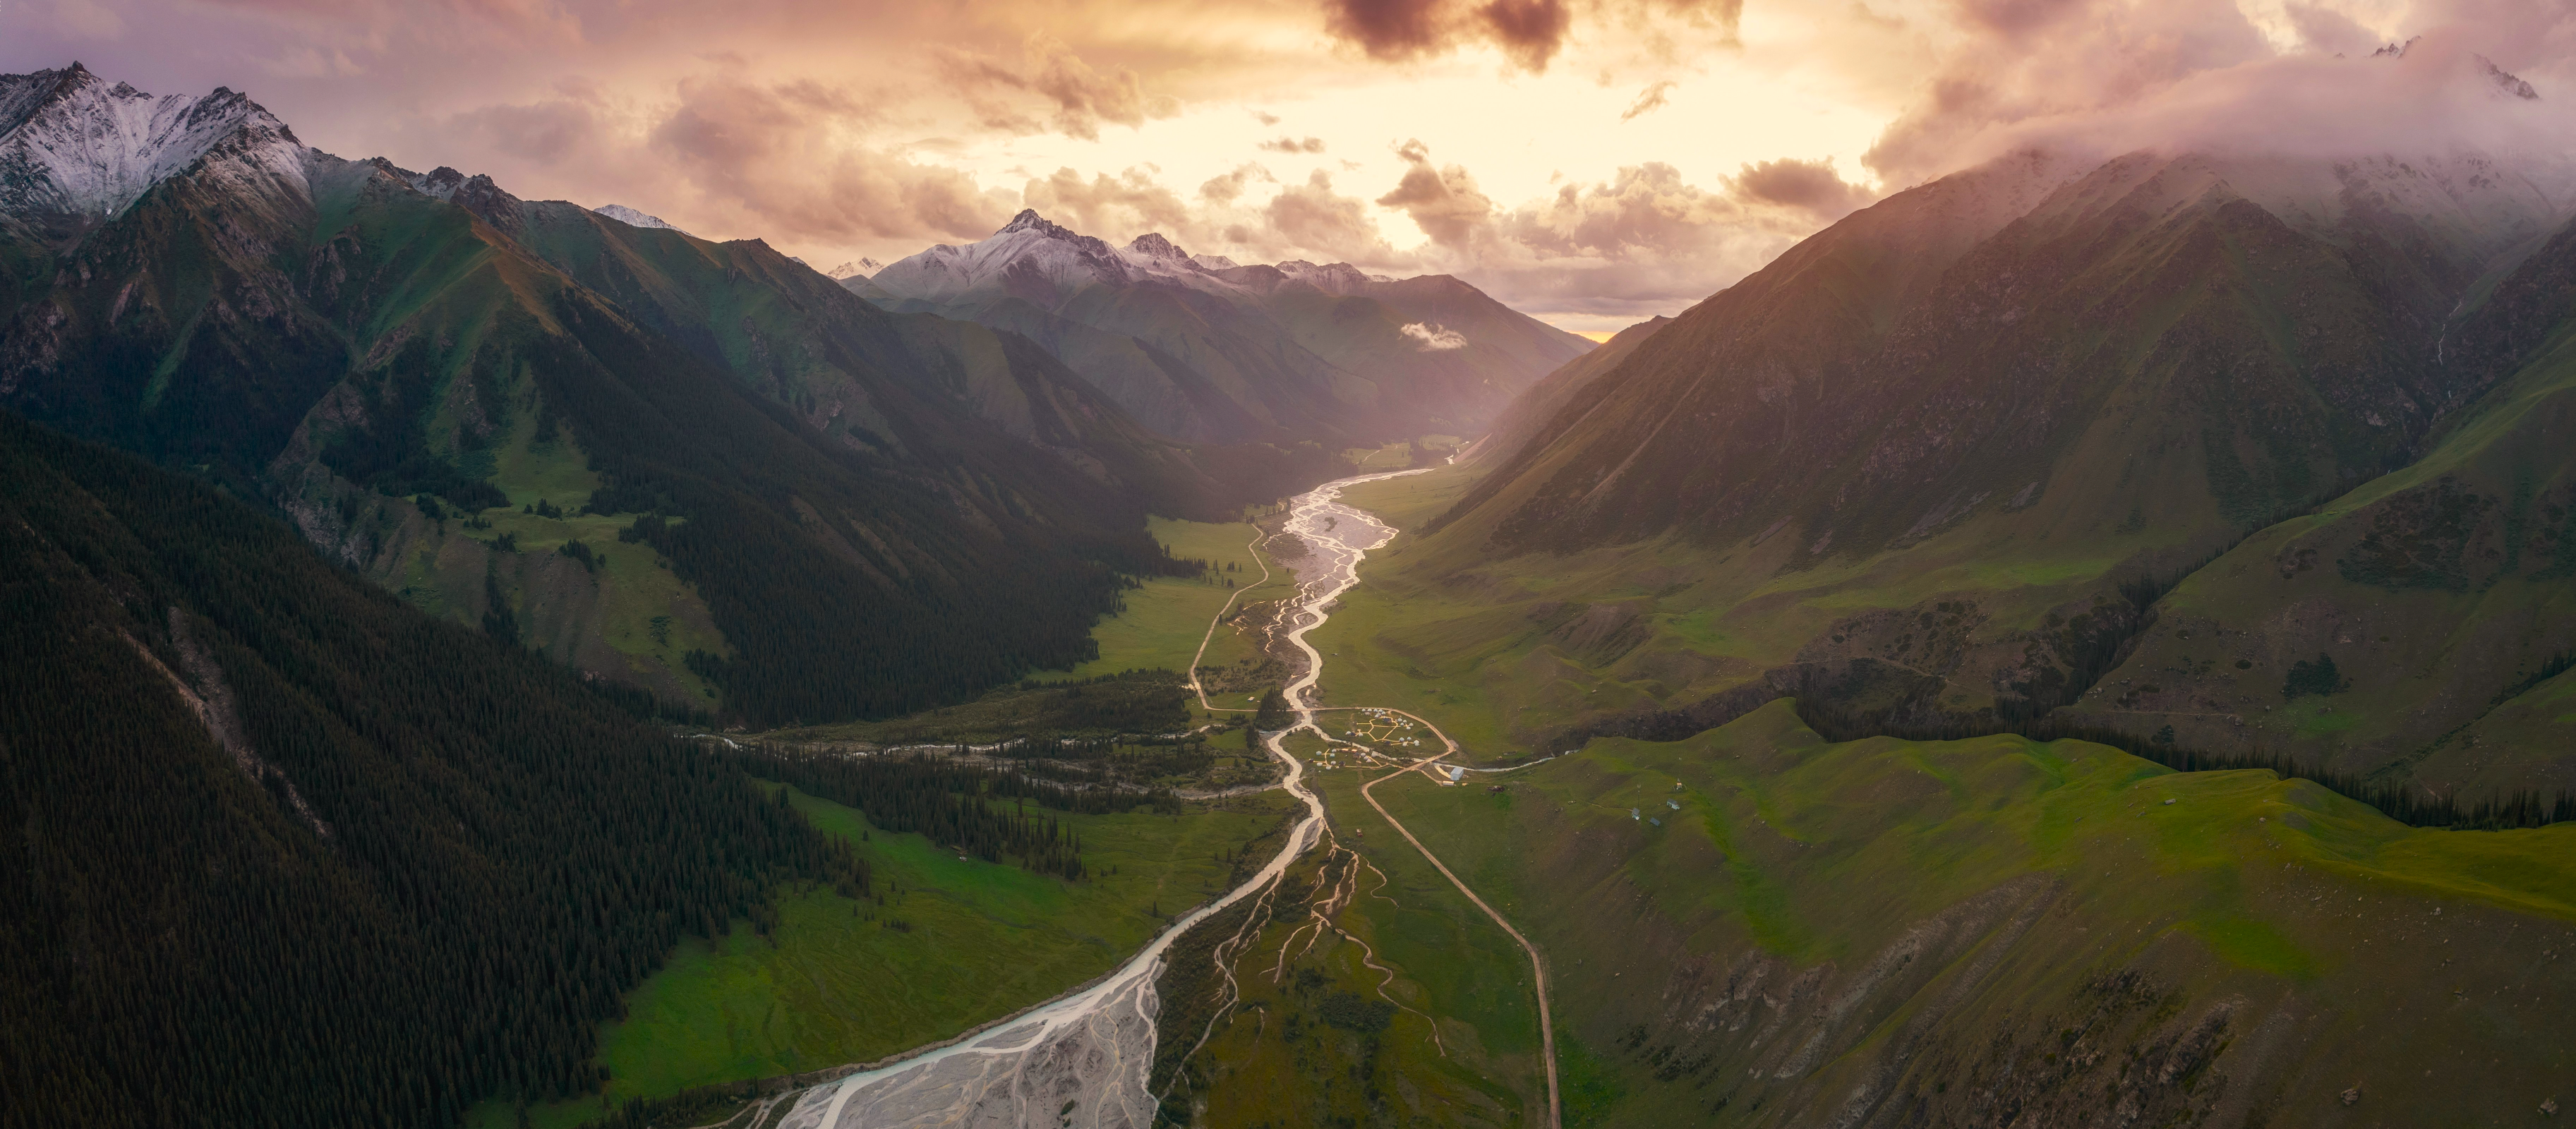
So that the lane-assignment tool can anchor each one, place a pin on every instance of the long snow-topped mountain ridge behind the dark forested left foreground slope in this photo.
(380, 357)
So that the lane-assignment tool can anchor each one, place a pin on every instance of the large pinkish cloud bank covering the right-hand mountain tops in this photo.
(2116, 76)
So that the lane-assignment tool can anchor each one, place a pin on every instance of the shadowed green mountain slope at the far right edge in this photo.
(2415, 628)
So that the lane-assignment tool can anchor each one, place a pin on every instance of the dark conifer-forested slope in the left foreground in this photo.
(290, 852)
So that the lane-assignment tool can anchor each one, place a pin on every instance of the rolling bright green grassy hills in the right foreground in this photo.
(1637, 867)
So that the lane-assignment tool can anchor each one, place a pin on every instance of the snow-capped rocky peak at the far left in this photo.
(81, 148)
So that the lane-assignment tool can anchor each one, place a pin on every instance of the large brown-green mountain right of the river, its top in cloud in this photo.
(1954, 447)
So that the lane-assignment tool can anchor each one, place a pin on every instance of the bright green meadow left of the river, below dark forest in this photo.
(838, 983)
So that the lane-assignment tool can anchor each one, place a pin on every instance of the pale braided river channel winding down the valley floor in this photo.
(1083, 1061)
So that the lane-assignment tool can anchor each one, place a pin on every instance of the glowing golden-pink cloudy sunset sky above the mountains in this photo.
(1586, 161)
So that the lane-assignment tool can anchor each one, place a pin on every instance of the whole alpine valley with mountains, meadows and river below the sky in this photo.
(2083, 641)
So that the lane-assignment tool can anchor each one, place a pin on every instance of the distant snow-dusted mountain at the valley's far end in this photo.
(1204, 349)
